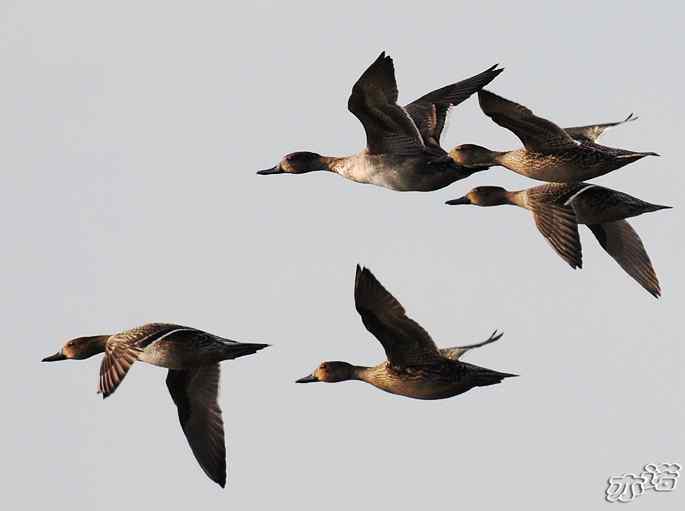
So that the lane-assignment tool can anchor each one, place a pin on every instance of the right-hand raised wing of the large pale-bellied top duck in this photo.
(429, 112)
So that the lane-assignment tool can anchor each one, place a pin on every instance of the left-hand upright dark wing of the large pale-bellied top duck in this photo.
(388, 126)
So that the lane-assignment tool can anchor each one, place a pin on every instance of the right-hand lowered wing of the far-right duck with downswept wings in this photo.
(622, 243)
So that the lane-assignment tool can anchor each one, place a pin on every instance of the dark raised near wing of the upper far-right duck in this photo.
(537, 134)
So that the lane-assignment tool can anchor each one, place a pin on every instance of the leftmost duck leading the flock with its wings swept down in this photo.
(192, 357)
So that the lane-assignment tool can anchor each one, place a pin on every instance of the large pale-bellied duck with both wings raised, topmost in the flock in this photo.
(402, 143)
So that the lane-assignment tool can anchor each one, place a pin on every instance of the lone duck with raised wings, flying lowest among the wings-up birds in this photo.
(415, 367)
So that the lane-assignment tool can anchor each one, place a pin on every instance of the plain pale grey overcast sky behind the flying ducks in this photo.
(131, 136)
